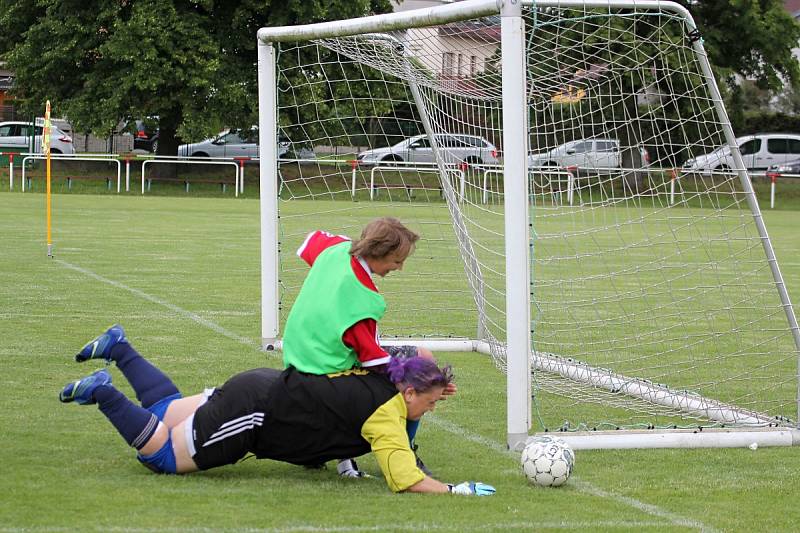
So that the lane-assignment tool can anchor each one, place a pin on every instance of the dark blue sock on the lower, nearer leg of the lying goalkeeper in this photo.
(135, 424)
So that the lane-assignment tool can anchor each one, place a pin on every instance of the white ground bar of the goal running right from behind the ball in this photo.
(679, 438)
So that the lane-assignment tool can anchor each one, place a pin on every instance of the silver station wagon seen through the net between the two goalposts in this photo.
(456, 148)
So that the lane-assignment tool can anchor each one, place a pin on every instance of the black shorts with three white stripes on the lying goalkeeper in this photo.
(224, 429)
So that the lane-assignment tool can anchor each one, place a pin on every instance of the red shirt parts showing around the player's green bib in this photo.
(363, 335)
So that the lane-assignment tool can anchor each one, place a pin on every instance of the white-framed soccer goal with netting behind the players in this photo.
(544, 152)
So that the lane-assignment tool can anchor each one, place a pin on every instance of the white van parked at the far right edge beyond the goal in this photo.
(759, 152)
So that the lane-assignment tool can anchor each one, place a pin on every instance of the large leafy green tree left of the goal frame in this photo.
(192, 64)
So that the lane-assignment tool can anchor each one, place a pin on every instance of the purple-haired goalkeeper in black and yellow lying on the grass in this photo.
(286, 416)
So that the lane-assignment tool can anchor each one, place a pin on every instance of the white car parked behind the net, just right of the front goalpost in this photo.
(587, 154)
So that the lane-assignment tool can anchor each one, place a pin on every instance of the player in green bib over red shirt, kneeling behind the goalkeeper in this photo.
(333, 324)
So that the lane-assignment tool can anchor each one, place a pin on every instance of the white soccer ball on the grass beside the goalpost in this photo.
(547, 461)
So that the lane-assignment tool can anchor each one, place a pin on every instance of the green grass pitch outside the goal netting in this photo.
(182, 274)
